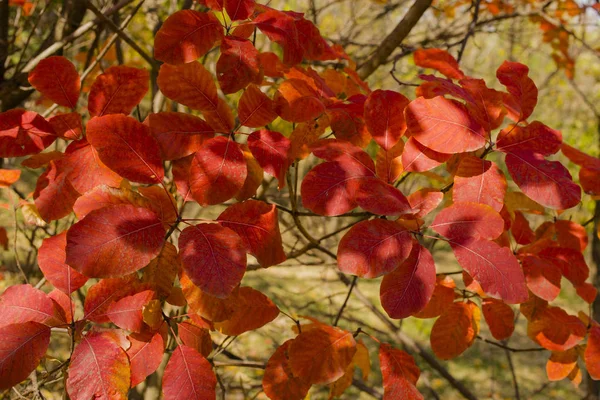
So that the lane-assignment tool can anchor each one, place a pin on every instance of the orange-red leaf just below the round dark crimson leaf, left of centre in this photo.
(253, 310)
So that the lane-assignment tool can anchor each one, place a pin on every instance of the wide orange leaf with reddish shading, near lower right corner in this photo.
(555, 330)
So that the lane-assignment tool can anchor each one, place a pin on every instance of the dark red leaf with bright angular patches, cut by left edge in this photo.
(24, 132)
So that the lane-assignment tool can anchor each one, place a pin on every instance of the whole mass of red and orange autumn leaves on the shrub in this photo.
(127, 180)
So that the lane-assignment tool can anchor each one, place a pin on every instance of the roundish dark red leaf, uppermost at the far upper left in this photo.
(57, 79)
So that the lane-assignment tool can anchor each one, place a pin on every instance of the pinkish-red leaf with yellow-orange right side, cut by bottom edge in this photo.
(99, 369)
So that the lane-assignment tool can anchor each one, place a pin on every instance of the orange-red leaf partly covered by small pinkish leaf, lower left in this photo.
(101, 295)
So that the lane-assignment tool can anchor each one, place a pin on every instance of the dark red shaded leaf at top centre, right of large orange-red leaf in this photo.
(238, 65)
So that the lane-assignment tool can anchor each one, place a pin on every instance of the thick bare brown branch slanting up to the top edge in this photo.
(395, 38)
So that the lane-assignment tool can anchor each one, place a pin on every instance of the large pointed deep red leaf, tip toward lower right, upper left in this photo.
(127, 147)
